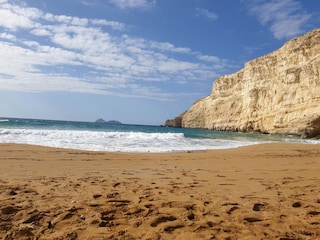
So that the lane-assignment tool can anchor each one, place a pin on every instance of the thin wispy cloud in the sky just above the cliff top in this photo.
(285, 18)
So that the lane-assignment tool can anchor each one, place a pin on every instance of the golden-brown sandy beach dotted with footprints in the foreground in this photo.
(269, 191)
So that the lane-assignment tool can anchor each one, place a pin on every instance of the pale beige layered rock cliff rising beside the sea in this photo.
(276, 93)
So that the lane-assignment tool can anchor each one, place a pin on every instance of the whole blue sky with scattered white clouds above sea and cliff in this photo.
(135, 61)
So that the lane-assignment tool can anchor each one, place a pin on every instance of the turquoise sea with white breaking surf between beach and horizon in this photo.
(127, 137)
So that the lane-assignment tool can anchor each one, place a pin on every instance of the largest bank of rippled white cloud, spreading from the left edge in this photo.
(66, 53)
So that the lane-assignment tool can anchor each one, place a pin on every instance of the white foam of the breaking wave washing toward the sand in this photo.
(114, 140)
